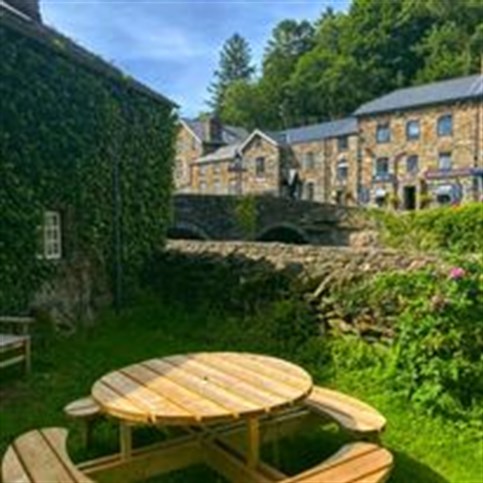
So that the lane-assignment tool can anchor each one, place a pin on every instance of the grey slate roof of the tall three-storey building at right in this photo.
(451, 90)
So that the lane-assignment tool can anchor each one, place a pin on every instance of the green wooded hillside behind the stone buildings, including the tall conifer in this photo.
(315, 72)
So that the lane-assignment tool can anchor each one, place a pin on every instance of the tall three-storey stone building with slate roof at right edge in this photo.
(423, 146)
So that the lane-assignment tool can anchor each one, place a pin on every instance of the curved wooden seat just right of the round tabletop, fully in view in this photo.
(350, 413)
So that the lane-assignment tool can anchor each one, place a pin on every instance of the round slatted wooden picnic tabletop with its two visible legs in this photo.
(202, 388)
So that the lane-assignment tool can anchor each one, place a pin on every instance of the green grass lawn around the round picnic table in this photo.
(427, 450)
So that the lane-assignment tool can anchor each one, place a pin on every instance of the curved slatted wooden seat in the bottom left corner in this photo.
(40, 456)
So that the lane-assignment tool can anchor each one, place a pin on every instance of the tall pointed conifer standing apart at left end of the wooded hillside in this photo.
(234, 65)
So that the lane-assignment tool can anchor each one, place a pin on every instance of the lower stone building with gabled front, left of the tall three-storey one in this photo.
(310, 162)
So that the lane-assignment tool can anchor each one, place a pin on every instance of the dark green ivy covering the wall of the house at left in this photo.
(65, 128)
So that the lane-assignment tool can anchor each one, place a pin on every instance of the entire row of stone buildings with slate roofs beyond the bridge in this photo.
(410, 149)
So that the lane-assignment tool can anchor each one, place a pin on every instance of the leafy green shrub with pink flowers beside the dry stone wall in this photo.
(438, 358)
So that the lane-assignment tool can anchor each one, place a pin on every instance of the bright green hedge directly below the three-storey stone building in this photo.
(456, 229)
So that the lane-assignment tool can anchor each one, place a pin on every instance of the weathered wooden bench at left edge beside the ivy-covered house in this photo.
(16, 342)
